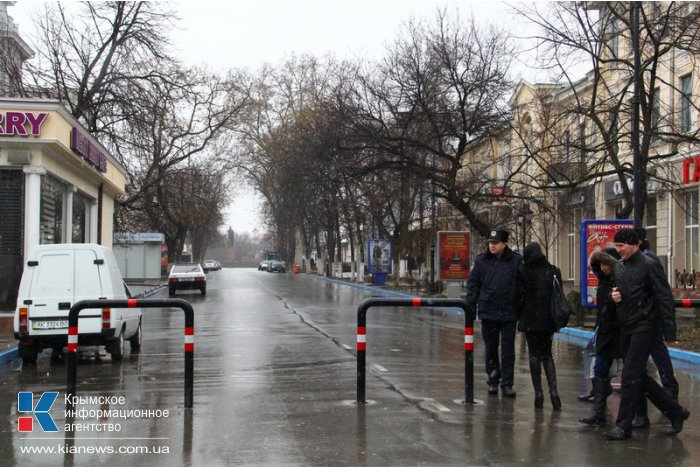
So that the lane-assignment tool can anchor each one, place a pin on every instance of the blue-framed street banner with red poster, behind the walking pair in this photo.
(596, 235)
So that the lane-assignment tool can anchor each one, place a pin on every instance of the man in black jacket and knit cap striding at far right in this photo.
(644, 300)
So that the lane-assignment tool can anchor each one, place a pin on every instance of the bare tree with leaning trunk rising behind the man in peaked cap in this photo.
(441, 87)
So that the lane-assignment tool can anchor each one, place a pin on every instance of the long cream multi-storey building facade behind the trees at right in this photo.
(567, 145)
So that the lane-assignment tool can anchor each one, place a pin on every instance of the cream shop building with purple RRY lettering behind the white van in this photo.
(57, 185)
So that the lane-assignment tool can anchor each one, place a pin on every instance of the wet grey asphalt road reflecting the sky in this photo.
(275, 383)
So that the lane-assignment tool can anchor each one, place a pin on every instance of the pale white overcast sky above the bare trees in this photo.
(238, 34)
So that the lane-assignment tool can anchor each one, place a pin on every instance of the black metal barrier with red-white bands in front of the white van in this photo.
(72, 357)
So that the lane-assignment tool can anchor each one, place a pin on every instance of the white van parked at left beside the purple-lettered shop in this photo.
(57, 276)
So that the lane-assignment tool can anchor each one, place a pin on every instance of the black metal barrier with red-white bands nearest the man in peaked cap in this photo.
(416, 302)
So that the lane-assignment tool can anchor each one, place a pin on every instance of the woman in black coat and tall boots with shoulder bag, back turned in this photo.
(532, 296)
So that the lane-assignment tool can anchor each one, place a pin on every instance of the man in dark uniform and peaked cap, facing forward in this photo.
(489, 289)
